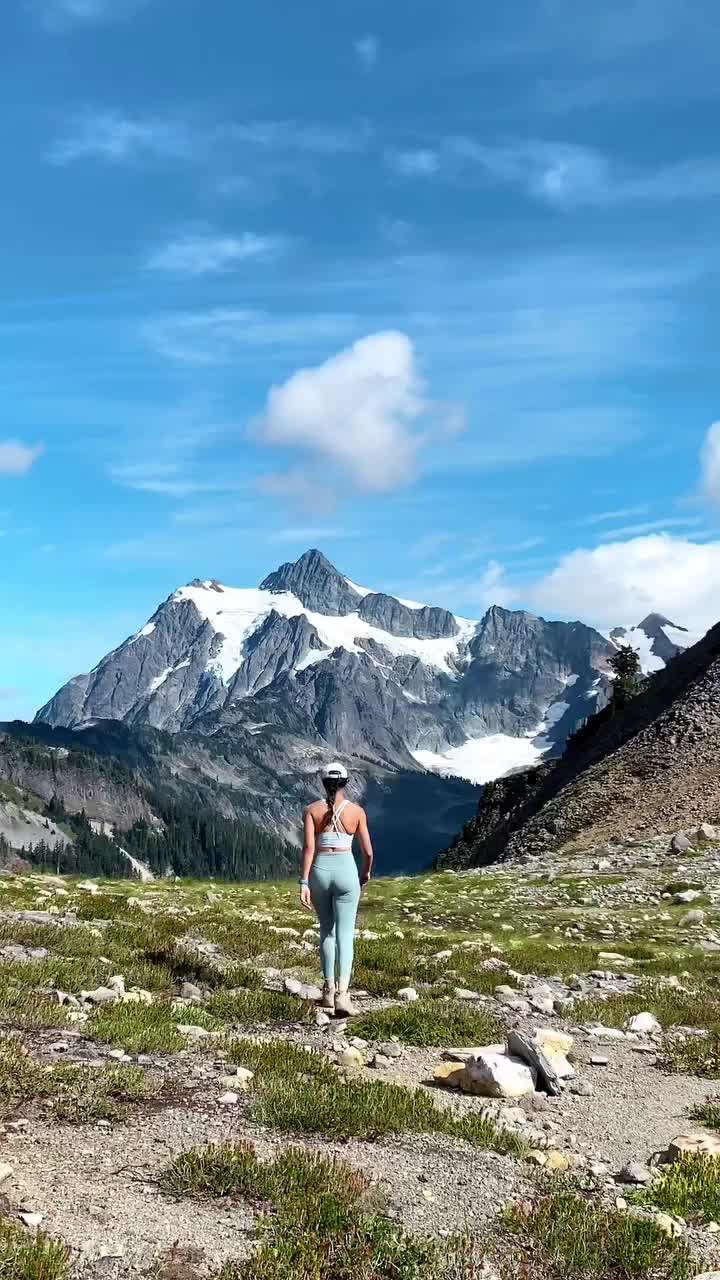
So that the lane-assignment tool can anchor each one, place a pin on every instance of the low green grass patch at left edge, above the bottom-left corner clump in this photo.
(78, 1094)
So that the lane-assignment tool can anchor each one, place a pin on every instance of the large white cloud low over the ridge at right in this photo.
(622, 582)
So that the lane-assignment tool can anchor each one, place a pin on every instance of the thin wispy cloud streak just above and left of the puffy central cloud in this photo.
(221, 335)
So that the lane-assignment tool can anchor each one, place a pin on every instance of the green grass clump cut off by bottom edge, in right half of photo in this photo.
(568, 1238)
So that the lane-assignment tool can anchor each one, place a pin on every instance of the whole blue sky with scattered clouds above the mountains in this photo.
(432, 287)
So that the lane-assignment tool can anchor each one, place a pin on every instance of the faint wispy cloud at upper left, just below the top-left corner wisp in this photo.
(119, 139)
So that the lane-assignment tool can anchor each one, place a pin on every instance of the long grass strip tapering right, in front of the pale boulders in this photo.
(338, 1109)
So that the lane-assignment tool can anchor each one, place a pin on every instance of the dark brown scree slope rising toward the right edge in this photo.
(650, 769)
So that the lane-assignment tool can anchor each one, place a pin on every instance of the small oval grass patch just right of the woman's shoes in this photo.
(429, 1023)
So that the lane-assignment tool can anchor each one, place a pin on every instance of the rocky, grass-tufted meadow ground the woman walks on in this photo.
(528, 1089)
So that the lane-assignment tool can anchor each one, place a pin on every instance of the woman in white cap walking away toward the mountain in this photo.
(330, 881)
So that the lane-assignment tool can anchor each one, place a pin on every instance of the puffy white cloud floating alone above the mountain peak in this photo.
(358, 412)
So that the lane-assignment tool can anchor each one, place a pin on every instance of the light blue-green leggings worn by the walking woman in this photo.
(335, 889)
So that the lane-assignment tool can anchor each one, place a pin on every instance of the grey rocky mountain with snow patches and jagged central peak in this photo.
(313, 655)
